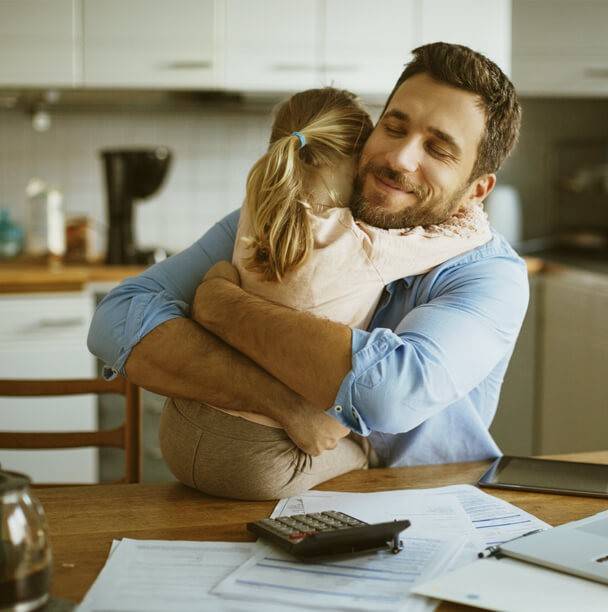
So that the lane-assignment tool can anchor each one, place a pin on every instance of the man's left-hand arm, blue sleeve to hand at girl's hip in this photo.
(142, 325)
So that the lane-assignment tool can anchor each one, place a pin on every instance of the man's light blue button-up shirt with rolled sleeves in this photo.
(425, 376)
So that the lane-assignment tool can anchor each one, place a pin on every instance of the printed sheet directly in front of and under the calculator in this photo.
(378, 581)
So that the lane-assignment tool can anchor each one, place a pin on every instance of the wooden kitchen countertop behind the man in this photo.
(27, 277)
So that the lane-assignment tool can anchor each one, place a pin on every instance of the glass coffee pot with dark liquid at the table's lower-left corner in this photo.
(25, 554)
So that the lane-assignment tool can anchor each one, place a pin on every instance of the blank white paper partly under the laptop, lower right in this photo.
(515, 586)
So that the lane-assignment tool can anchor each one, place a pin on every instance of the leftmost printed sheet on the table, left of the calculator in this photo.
(151, 575)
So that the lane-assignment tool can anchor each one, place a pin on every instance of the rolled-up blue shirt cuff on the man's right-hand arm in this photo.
(368, 350)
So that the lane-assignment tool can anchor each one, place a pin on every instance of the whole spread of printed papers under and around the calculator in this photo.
(449, 526)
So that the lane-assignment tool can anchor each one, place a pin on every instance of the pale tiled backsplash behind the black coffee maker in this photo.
(213, 151)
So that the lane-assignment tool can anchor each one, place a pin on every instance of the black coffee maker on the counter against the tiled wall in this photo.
(131, 174)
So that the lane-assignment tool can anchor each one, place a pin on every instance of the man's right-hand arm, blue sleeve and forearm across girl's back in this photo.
(441, 350)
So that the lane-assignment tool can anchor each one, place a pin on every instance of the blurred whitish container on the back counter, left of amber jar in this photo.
(45, 226)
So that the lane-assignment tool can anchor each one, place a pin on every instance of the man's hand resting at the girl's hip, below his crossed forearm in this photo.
(312, 431)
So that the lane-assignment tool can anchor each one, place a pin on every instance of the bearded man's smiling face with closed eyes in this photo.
(415, 166)
